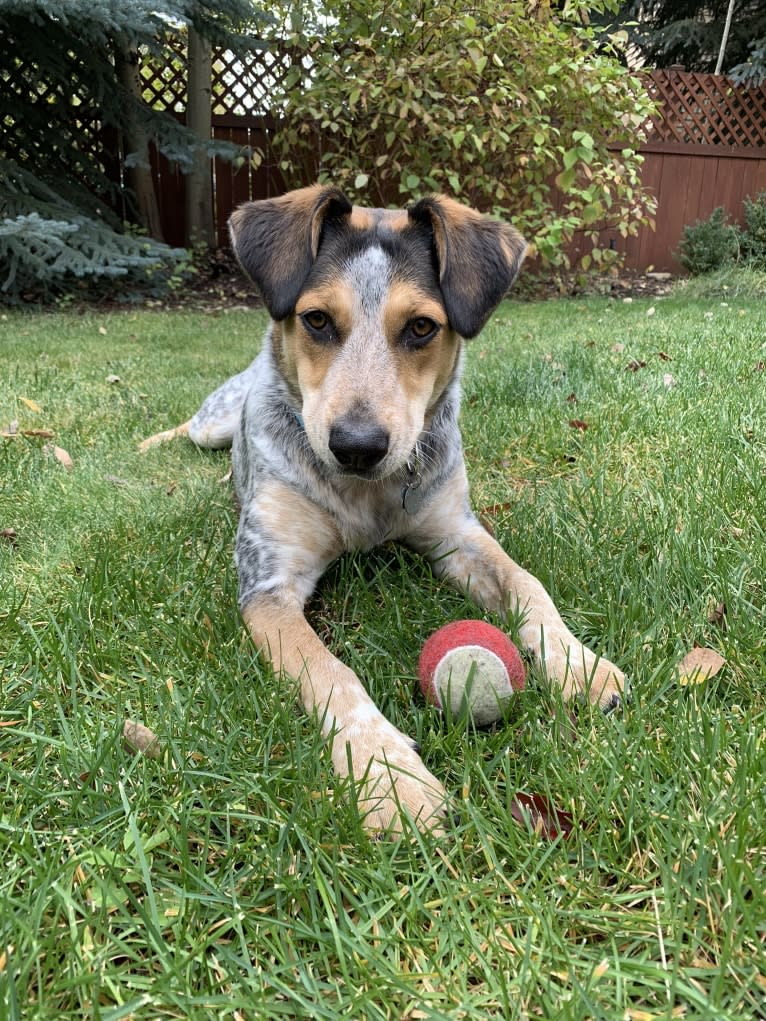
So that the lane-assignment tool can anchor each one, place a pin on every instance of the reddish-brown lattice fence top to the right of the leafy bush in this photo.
(706, 110)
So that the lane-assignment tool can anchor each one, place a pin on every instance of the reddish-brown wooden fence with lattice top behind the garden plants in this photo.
(706, 149)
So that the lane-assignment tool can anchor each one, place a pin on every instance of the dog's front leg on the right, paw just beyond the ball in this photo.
(464, 553)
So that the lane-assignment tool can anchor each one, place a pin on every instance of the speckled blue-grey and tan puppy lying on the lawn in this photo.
(345, 435)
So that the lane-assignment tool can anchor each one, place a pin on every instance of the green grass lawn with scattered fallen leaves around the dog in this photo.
(232, 880)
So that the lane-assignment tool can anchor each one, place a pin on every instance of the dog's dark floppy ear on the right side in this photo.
(478, 260)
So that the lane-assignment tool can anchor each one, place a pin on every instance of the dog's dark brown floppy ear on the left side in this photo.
(276, 241)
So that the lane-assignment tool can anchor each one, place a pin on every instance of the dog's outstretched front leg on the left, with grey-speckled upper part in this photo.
(284, 545)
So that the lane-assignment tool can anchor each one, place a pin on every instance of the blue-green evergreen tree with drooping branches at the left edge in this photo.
(64, 102)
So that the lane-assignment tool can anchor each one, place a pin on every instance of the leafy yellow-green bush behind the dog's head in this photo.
(511, 113)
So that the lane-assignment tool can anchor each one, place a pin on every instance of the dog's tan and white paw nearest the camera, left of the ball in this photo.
(394, 787)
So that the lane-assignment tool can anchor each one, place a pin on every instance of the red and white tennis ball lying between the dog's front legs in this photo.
(472, 667)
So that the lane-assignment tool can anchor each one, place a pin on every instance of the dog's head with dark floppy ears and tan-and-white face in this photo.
(369, 308)
